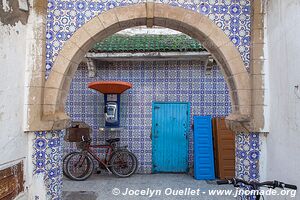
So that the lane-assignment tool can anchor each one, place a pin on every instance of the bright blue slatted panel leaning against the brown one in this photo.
(203, 148)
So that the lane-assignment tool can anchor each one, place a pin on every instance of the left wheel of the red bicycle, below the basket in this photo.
(79, 166)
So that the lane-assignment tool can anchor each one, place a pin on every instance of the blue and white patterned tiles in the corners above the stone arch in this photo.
(64, 17)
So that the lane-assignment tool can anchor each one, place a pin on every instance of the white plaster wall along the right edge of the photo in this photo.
(283, 142)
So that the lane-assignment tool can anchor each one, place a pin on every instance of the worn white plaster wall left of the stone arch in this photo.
(13, 141)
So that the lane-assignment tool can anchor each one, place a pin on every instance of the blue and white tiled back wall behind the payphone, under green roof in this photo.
(172, 81)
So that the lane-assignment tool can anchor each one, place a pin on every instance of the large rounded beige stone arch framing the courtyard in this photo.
(194, 24)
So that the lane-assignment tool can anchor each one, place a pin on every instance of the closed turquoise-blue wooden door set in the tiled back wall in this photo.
(170, 127)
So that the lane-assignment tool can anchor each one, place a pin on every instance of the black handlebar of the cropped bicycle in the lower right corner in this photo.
(273, 184)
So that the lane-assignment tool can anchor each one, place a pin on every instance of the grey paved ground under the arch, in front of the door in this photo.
(102, 186)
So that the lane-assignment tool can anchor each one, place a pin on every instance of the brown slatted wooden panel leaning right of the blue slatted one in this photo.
(224, 141)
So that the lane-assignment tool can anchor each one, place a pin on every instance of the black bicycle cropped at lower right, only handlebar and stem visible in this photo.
(255, 186)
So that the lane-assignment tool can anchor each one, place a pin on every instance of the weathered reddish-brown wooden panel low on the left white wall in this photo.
(11, 181)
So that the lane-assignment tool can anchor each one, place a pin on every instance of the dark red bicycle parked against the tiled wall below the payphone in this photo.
(79, 165)
